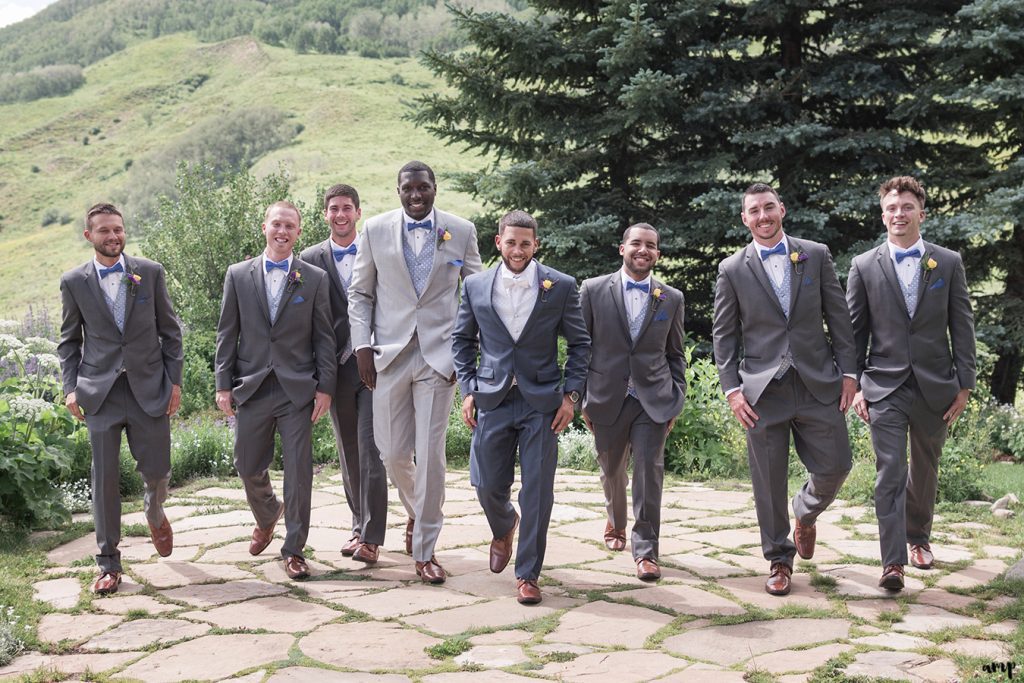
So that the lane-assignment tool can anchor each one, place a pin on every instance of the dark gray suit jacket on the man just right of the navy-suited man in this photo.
(657, 362)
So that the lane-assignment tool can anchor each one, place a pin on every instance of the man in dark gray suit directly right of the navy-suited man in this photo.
(635, 389)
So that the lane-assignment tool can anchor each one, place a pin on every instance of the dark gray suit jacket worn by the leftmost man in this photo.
(93, 353)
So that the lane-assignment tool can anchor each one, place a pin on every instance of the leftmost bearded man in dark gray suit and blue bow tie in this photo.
(121, 364)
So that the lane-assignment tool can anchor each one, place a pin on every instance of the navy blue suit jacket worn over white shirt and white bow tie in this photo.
(533, 361)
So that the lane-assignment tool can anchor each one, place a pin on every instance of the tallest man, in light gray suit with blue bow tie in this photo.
(402, 307)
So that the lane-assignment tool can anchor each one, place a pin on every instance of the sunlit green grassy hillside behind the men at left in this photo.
(142, 100)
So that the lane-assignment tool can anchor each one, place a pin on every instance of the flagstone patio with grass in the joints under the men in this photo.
(211, 612)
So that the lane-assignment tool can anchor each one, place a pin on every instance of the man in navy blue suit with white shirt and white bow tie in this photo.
(514, 395)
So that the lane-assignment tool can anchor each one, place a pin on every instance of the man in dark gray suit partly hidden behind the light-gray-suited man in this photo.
(352, 410)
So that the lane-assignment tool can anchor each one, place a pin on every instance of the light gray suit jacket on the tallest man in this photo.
(383, 303)
